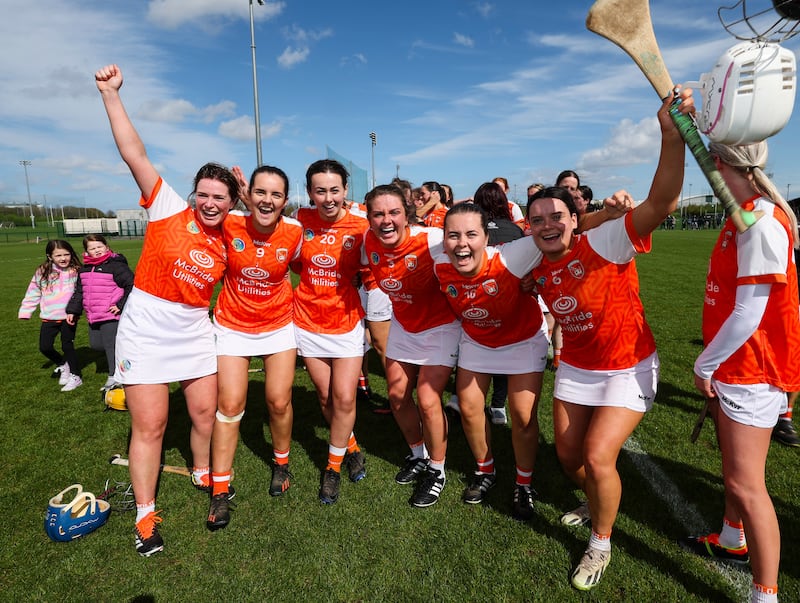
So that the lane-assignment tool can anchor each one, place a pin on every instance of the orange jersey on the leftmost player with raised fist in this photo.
(181, 260)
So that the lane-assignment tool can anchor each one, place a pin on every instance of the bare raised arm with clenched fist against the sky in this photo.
(131, 148)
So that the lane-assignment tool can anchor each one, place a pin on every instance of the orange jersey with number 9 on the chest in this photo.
(256, 294)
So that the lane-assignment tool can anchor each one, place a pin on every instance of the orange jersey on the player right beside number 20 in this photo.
(405, 274)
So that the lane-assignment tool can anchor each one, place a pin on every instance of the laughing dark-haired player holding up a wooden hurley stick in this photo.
(608, 373)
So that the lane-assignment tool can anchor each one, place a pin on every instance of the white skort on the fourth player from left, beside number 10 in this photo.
(435, 347)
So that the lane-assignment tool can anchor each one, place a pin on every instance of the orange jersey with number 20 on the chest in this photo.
(326, 300)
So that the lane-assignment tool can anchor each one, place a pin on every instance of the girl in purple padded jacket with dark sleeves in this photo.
(104, 282)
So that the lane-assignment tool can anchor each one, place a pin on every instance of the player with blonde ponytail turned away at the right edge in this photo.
(751, 333)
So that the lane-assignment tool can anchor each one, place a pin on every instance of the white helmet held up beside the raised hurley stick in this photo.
(749, 95)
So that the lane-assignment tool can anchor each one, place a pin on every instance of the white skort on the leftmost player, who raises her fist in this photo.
(160, 341)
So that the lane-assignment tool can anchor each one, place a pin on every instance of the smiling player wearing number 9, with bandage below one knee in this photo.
(253, 317)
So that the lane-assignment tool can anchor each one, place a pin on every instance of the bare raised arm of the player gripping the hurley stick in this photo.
(668, 180)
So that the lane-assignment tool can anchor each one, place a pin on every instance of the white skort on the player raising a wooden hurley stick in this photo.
(632, 388)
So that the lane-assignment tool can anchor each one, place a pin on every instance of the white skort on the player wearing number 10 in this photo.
(529, 355)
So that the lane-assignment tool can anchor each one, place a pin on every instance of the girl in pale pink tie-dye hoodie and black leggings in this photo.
(50, 289)
